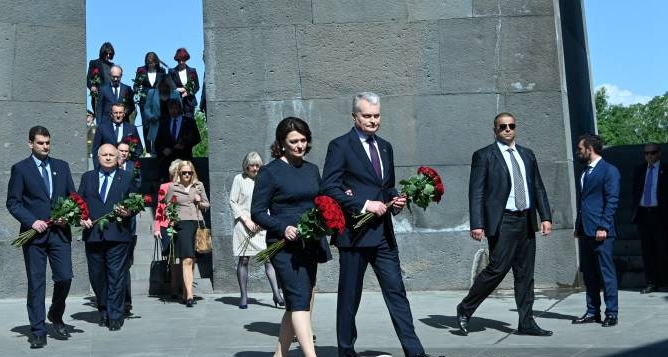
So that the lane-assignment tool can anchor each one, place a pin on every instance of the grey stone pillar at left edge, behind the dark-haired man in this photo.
(42, 81)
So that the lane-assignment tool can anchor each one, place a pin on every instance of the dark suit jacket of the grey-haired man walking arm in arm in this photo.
(349, 178)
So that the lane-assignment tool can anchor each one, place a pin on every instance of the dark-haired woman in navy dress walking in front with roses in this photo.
(284, 189)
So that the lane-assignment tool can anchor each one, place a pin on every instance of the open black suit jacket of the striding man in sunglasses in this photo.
(490, 184)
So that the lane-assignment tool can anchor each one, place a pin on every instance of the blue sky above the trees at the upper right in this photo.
(627, 48)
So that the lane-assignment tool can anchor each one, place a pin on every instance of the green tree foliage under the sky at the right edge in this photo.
(633, 124)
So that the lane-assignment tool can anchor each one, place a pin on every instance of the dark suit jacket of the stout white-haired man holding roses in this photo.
(121, 186)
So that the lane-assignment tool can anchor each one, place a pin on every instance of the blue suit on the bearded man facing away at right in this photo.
(597, 205)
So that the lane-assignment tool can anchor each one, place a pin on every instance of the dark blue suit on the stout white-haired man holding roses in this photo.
(107, 249)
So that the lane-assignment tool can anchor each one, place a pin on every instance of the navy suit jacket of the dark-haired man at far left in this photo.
(28, 199)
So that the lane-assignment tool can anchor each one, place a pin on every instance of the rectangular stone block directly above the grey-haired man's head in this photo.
(339, 59)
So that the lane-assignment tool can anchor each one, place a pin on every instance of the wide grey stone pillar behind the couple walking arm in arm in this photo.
(443, 69)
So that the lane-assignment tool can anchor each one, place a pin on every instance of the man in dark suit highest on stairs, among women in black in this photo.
(115, 92)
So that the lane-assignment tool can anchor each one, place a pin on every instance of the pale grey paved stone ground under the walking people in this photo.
(217, 327)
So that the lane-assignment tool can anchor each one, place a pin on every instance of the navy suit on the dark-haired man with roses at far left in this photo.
(28, 201)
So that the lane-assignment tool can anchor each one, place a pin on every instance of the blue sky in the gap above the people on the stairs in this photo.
(141, 26)
